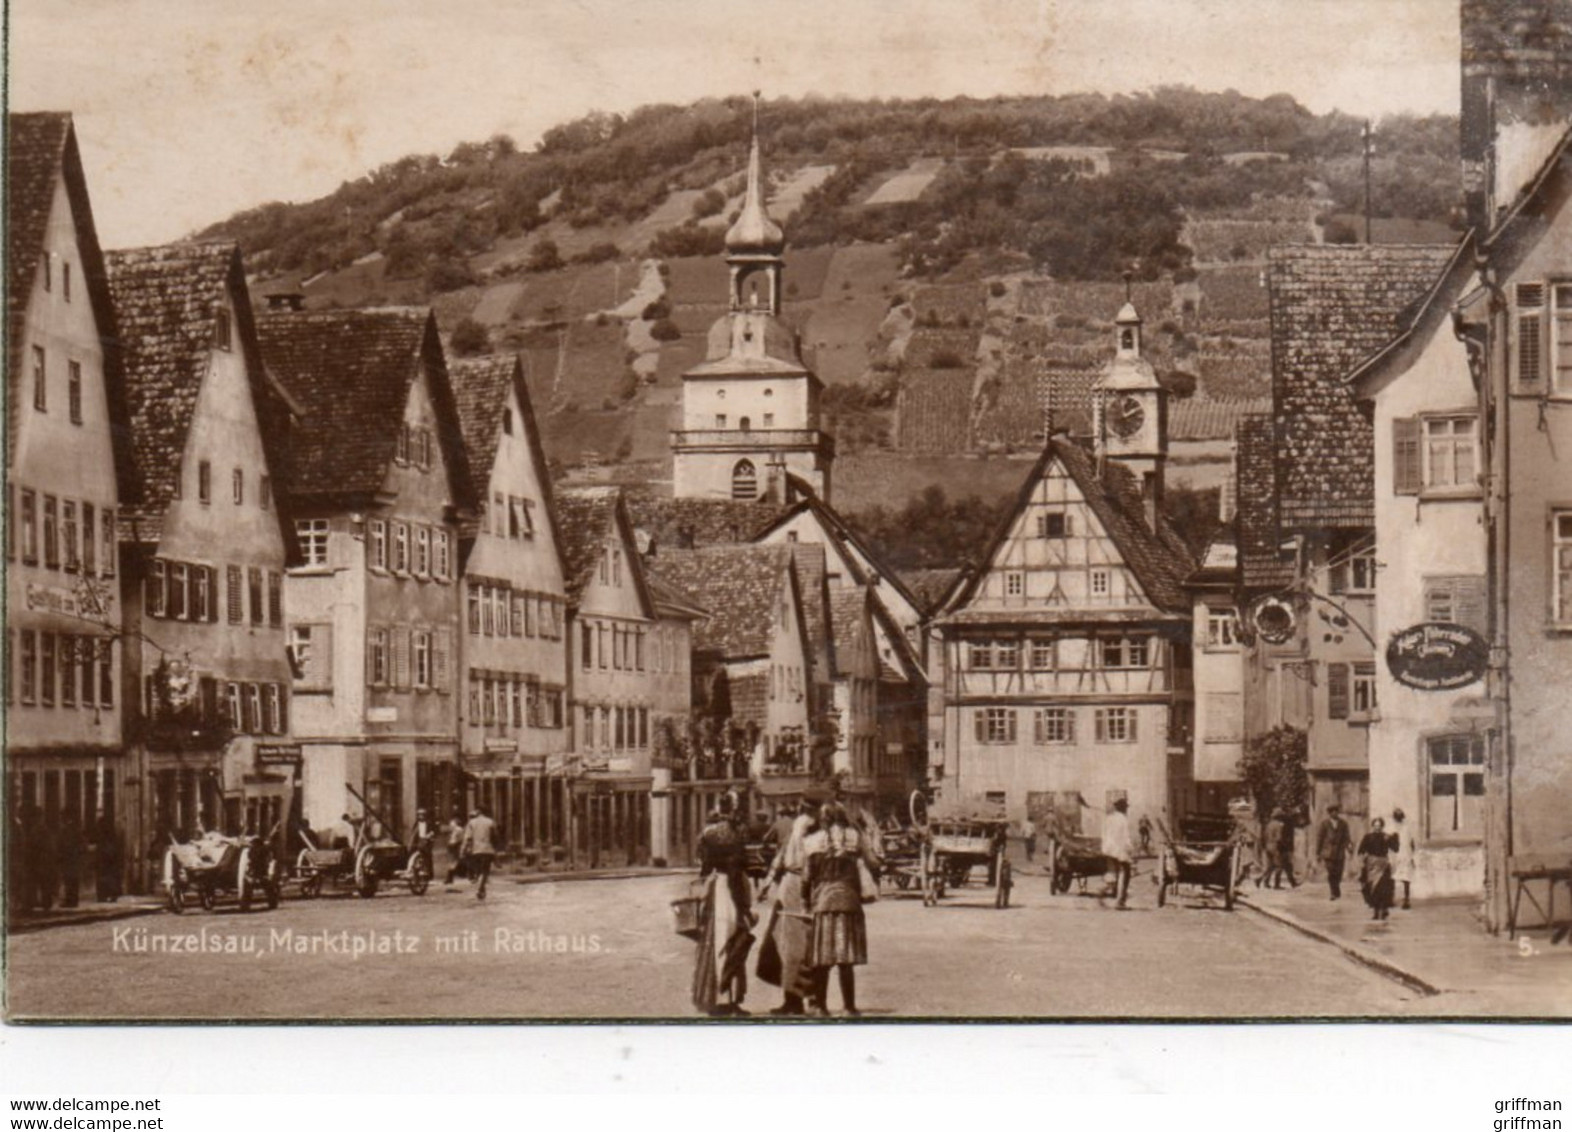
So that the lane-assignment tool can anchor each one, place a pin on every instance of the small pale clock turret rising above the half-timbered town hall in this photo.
(1131, 413)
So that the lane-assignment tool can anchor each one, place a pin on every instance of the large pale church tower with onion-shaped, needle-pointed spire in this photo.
(751, 411)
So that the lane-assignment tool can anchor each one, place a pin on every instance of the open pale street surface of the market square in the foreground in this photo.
(604, 949)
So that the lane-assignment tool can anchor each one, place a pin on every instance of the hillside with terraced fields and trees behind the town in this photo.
(953, 265)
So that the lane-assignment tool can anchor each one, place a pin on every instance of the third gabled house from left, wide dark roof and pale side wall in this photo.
(378, 483)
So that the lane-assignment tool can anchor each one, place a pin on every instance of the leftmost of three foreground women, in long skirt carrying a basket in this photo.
(721, 972)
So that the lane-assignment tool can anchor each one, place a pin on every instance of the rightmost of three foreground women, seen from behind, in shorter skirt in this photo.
(840, 880)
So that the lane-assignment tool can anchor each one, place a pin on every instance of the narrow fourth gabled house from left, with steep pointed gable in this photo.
(515, 645)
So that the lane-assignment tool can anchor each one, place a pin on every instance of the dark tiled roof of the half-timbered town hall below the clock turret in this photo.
(1159, 560)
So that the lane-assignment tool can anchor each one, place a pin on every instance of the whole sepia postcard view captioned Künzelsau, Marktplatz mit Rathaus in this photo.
(721, 510)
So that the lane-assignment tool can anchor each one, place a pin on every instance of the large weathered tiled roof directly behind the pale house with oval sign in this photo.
(1332, 307)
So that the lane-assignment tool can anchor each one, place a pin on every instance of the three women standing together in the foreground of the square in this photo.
(809, 910)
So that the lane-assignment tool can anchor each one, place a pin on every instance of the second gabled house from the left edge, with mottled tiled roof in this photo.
(205, 549)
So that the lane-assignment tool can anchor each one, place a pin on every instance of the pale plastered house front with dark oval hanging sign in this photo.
(1427, 755)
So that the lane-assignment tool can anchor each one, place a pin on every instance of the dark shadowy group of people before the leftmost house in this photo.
(50, 861)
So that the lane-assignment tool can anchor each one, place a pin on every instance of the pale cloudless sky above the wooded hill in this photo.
(189, 111)
